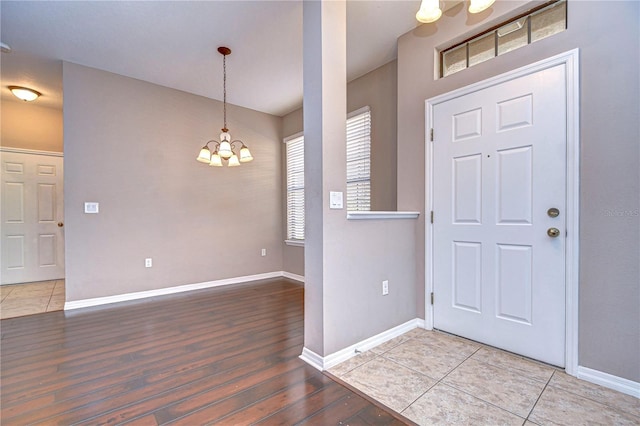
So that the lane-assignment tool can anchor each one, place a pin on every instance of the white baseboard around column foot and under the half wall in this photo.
(324, 363)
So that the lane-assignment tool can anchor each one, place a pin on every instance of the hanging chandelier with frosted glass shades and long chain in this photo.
(225, 149)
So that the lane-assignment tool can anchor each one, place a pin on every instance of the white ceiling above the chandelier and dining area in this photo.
(174, 44)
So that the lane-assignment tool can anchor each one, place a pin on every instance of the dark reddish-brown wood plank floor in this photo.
(227, 355)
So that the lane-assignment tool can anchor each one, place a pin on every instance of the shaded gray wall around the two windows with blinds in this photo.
(378, 89)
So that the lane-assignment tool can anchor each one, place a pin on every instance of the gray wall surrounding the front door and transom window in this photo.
(608, 38)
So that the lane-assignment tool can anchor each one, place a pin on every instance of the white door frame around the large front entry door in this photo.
(570, 60)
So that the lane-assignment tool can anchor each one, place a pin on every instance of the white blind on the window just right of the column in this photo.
(359, 160)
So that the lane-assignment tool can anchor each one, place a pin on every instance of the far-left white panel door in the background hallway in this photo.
(31, 218)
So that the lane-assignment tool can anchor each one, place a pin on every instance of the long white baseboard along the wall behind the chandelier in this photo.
(85, 303)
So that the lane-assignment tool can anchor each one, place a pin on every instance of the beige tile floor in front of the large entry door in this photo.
(434, 378)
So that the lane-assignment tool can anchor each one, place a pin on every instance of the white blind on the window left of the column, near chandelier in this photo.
(295, 187)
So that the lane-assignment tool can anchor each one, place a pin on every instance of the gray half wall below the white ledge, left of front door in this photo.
(359, 255)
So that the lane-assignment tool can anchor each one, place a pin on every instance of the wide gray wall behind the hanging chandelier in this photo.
(131, 146)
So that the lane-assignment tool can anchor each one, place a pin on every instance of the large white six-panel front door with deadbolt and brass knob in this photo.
(499, 165)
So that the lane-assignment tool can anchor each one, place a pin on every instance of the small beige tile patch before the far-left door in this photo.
(18, 300)
